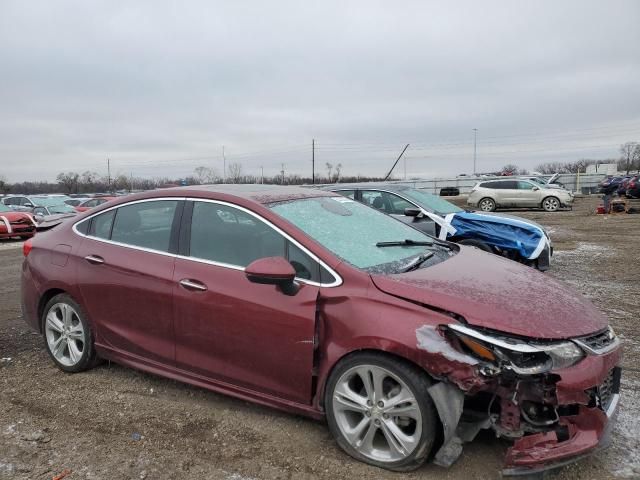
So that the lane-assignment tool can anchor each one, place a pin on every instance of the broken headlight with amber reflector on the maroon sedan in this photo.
(524, 358)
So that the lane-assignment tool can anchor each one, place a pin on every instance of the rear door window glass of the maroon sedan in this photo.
(145, 224)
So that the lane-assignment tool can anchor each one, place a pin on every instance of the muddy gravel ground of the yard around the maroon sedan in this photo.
(117, 423)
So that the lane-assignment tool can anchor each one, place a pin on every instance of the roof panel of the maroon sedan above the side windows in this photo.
(263, 194)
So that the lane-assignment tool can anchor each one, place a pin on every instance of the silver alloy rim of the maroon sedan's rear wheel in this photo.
(65, 334)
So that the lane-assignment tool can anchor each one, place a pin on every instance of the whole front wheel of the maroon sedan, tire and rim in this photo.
(380, 412)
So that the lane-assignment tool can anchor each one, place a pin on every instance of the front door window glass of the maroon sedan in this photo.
(225, 234)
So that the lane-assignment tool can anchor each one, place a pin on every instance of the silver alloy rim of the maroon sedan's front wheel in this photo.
(377, 413)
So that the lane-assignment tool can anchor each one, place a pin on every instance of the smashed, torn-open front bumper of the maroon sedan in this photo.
(553, 417)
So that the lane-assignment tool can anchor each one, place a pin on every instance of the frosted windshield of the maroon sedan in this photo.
(351, 231)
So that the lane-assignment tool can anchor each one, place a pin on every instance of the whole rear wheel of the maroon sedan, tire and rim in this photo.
(67, 334)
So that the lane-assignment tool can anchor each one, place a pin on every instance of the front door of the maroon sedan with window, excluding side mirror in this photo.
(229, 329)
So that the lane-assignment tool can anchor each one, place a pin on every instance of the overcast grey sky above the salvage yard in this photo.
(159, 87)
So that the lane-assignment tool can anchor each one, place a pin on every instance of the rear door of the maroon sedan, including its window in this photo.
(125, 272)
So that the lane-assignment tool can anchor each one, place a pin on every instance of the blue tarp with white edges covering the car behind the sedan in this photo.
(503, 232)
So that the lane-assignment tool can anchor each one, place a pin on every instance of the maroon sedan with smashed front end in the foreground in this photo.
(310, 302)
